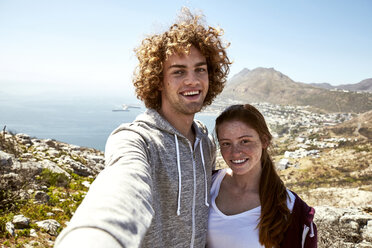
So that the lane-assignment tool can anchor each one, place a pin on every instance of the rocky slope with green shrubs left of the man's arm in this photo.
(42, 183)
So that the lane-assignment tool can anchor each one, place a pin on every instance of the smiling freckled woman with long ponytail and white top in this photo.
(250, 205)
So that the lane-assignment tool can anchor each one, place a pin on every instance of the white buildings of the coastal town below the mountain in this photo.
(297, 129)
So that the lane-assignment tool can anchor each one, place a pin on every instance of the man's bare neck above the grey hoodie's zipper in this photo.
(183, 123)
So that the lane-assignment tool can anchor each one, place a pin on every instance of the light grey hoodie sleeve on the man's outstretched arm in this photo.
(118, 206)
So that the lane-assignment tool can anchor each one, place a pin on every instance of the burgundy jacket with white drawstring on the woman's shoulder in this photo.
(302, 232)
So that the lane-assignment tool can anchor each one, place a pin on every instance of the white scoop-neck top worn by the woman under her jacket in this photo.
(234, 231)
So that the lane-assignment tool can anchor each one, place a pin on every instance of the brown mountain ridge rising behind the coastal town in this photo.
(269, 85)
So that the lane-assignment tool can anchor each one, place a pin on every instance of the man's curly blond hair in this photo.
(187, 32)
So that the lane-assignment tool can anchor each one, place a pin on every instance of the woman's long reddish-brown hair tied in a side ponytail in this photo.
(275, 215)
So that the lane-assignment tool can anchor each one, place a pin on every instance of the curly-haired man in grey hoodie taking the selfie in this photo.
(154, 191)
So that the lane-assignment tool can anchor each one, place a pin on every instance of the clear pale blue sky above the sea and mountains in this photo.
(78, 44)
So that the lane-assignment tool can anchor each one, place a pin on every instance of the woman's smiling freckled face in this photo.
(241, 147)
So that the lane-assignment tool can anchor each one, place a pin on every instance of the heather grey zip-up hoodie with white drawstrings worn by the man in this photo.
(154, 191)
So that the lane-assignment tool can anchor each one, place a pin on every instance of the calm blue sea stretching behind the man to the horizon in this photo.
(80, 120)
